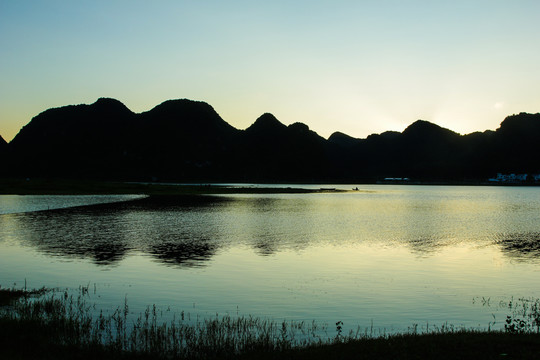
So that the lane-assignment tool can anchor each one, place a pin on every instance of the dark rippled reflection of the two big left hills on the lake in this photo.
(107, 233)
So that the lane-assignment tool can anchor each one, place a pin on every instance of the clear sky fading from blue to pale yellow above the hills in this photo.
(359, 67)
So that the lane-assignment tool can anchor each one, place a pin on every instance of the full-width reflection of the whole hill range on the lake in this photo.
(187, 231)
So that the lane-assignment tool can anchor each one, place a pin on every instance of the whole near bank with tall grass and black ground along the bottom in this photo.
(56, 325)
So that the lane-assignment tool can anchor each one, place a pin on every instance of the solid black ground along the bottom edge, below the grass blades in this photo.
(28, 341)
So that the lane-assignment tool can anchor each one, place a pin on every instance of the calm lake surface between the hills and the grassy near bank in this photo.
(391, 255)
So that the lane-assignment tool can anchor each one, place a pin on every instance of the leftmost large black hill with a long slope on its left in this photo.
(79, 140)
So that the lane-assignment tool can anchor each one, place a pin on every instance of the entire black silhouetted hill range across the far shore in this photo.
(185, 140)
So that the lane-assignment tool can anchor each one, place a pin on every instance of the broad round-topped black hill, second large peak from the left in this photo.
(185, 139)
